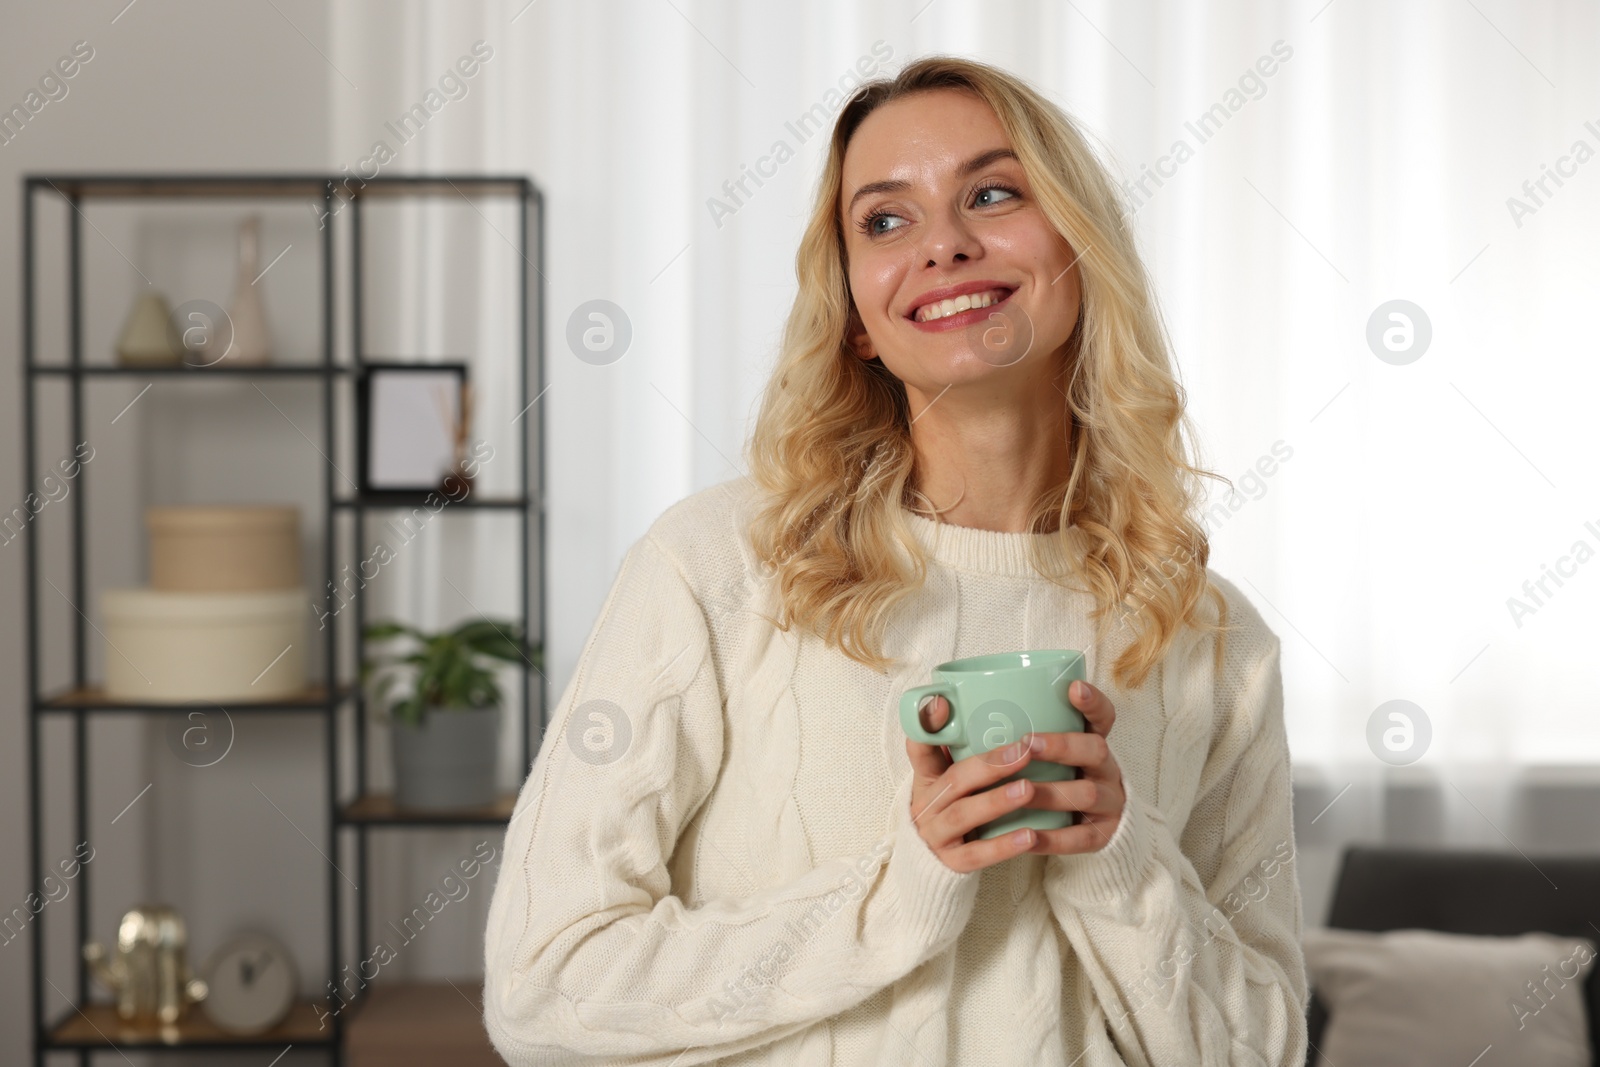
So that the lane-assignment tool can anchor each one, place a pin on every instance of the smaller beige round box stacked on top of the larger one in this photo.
(223, 548)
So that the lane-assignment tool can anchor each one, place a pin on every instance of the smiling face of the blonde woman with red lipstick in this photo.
(958, 276)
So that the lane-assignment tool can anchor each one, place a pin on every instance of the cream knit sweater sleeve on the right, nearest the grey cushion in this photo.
(1191, 935)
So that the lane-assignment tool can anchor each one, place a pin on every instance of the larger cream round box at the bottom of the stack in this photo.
(206, 647)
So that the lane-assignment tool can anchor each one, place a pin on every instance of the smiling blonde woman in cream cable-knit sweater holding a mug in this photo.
(730, 853)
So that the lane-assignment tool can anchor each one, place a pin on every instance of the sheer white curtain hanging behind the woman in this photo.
(1297, 169)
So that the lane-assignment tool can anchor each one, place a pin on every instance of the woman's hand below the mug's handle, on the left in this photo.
(950, 801)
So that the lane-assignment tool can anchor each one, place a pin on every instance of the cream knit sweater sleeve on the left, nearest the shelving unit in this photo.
(591, 957)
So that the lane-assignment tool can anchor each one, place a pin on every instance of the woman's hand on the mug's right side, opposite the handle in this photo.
(1097, 793)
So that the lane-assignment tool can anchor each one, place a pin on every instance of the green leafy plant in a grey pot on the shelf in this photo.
(446, 727)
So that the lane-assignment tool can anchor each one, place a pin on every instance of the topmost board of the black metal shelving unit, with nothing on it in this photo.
(297, 186)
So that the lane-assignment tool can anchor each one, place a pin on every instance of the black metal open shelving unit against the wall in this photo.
(356, 812)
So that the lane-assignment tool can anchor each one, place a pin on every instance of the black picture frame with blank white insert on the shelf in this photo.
(406, 426)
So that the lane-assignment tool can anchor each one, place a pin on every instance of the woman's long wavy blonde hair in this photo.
(833, 449)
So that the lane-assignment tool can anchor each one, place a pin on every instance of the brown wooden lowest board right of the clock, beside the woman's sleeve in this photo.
(420, 1025)
